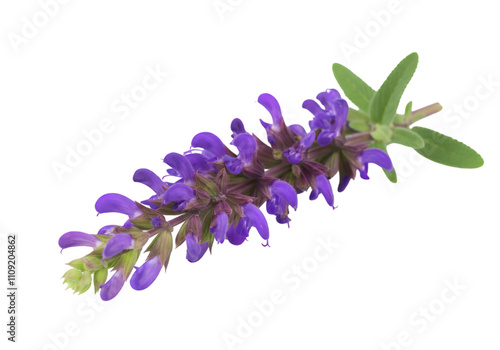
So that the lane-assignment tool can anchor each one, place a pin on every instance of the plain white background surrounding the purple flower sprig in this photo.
(397, 243)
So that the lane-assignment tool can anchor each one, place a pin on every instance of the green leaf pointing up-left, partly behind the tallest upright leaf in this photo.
(354, 88)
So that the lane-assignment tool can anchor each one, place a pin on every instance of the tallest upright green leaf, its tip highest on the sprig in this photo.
(384, 103)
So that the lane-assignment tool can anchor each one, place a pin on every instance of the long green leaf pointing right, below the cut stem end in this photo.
(446, 150)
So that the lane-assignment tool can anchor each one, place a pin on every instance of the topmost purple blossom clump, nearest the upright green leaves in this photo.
(329, 120)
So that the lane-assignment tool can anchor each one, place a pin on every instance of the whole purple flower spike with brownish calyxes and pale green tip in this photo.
(218, 192)
